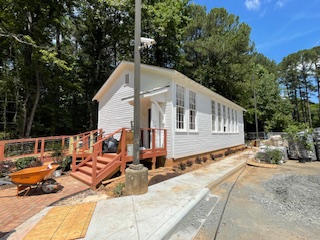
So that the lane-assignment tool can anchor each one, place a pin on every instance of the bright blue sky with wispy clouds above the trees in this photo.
(279, 27)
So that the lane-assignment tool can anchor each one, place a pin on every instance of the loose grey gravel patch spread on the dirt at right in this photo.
(294, 196)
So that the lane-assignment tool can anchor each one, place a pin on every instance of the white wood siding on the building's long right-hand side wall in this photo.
(203, 140)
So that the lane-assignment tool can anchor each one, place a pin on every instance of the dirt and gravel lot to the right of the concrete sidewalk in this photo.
(281, 203)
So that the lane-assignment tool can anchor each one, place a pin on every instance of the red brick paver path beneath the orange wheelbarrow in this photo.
(16, 210)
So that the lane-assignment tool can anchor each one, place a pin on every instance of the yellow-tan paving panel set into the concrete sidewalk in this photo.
(64, 222)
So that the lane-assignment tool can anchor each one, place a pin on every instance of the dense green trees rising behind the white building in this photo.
(55, 55)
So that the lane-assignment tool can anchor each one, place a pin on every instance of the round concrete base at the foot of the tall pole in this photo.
(136, 181)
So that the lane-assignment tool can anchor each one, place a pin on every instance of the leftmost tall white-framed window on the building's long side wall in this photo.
(180, 122)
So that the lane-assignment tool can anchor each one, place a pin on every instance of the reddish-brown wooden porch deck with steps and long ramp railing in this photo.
(90, 163)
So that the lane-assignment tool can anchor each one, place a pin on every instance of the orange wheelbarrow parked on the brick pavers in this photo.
(35, 176)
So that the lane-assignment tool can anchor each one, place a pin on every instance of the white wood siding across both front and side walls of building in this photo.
(114, 112)
